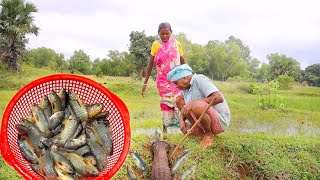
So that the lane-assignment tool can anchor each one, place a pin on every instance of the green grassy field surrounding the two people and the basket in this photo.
(258, 144)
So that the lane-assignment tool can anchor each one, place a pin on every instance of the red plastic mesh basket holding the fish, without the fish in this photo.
(89, 91)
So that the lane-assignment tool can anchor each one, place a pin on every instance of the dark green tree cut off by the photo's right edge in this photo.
(312, 75)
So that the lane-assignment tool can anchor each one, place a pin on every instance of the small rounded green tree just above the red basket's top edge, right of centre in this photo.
(80, 62)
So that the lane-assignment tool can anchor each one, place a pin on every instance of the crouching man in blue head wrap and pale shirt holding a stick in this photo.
(197, 92)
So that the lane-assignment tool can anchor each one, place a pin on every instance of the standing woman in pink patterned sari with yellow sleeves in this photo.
(166, 54)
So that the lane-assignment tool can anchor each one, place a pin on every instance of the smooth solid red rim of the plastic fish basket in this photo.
(123, 111)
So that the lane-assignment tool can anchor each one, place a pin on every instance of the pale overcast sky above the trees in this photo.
(290, 27)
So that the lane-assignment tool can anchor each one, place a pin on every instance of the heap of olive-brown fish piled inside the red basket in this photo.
(64, 138)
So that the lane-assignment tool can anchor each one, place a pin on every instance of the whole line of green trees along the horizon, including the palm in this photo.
(219, 60)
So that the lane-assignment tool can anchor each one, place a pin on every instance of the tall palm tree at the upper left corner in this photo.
(15, 22)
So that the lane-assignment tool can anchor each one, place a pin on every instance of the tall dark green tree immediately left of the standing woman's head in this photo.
(140, 47)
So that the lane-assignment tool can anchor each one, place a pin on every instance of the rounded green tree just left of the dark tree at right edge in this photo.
(281, 65)
